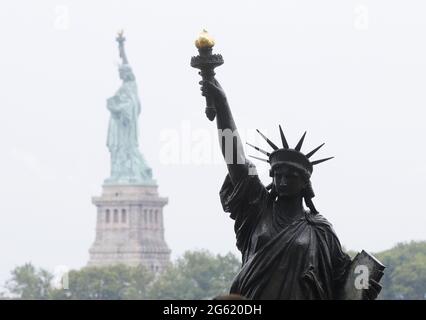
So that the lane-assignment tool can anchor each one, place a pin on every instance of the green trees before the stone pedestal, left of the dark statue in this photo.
(196, 275)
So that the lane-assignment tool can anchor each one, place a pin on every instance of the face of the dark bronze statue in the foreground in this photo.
(288, 181)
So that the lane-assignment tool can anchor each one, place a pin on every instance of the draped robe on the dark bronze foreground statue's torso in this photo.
(301, 259)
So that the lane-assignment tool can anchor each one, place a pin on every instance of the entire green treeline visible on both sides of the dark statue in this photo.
(199, 275)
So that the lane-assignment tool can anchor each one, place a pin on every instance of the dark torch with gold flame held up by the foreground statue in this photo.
(206, 62)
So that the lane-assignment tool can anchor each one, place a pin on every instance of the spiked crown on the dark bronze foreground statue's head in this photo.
(286, 155)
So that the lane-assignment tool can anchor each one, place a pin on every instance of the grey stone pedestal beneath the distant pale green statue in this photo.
(129, 227)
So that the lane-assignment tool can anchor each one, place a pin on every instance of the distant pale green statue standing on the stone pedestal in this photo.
(127, 163)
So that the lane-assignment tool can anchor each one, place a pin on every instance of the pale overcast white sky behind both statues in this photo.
(351, 73)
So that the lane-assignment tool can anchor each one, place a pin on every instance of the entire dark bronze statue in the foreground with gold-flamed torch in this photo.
(288, 252)
